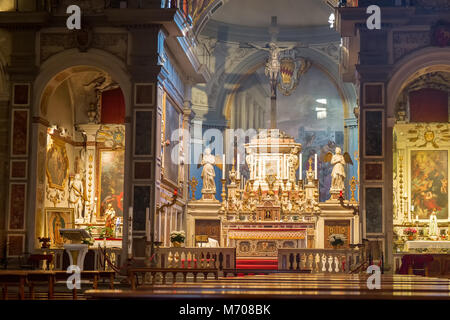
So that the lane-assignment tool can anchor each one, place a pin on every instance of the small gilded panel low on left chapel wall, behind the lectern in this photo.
(56, 219)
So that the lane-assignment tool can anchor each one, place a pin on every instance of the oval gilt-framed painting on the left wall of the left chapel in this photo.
(57, 165)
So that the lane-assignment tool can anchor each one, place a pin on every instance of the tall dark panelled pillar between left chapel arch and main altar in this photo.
(142, 187)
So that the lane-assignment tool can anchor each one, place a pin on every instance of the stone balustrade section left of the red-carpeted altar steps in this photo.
(196, 258)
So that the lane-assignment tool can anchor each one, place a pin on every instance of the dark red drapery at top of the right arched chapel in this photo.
(428, 105)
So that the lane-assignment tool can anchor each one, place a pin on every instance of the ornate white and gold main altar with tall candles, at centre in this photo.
(275, 208)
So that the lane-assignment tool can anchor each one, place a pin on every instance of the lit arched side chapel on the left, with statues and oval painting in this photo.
(80, 165)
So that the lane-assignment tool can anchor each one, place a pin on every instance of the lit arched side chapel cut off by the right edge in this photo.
(421, 147)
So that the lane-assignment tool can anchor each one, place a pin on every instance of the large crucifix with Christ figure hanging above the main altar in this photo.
(272, 69)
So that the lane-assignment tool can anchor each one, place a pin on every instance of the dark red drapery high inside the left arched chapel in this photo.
(113, 106)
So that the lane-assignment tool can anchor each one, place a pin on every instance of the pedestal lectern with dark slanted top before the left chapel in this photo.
(76, 250)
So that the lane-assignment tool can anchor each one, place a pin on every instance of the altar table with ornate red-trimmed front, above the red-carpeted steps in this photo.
(264, 239)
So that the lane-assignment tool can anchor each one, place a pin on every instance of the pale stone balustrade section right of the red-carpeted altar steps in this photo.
(320, 260)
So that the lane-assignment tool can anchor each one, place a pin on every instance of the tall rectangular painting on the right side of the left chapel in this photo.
(110, 180)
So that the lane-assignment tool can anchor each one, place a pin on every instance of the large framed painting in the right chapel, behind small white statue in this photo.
(429, 183)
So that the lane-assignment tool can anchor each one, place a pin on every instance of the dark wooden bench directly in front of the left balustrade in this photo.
(134, 272)
